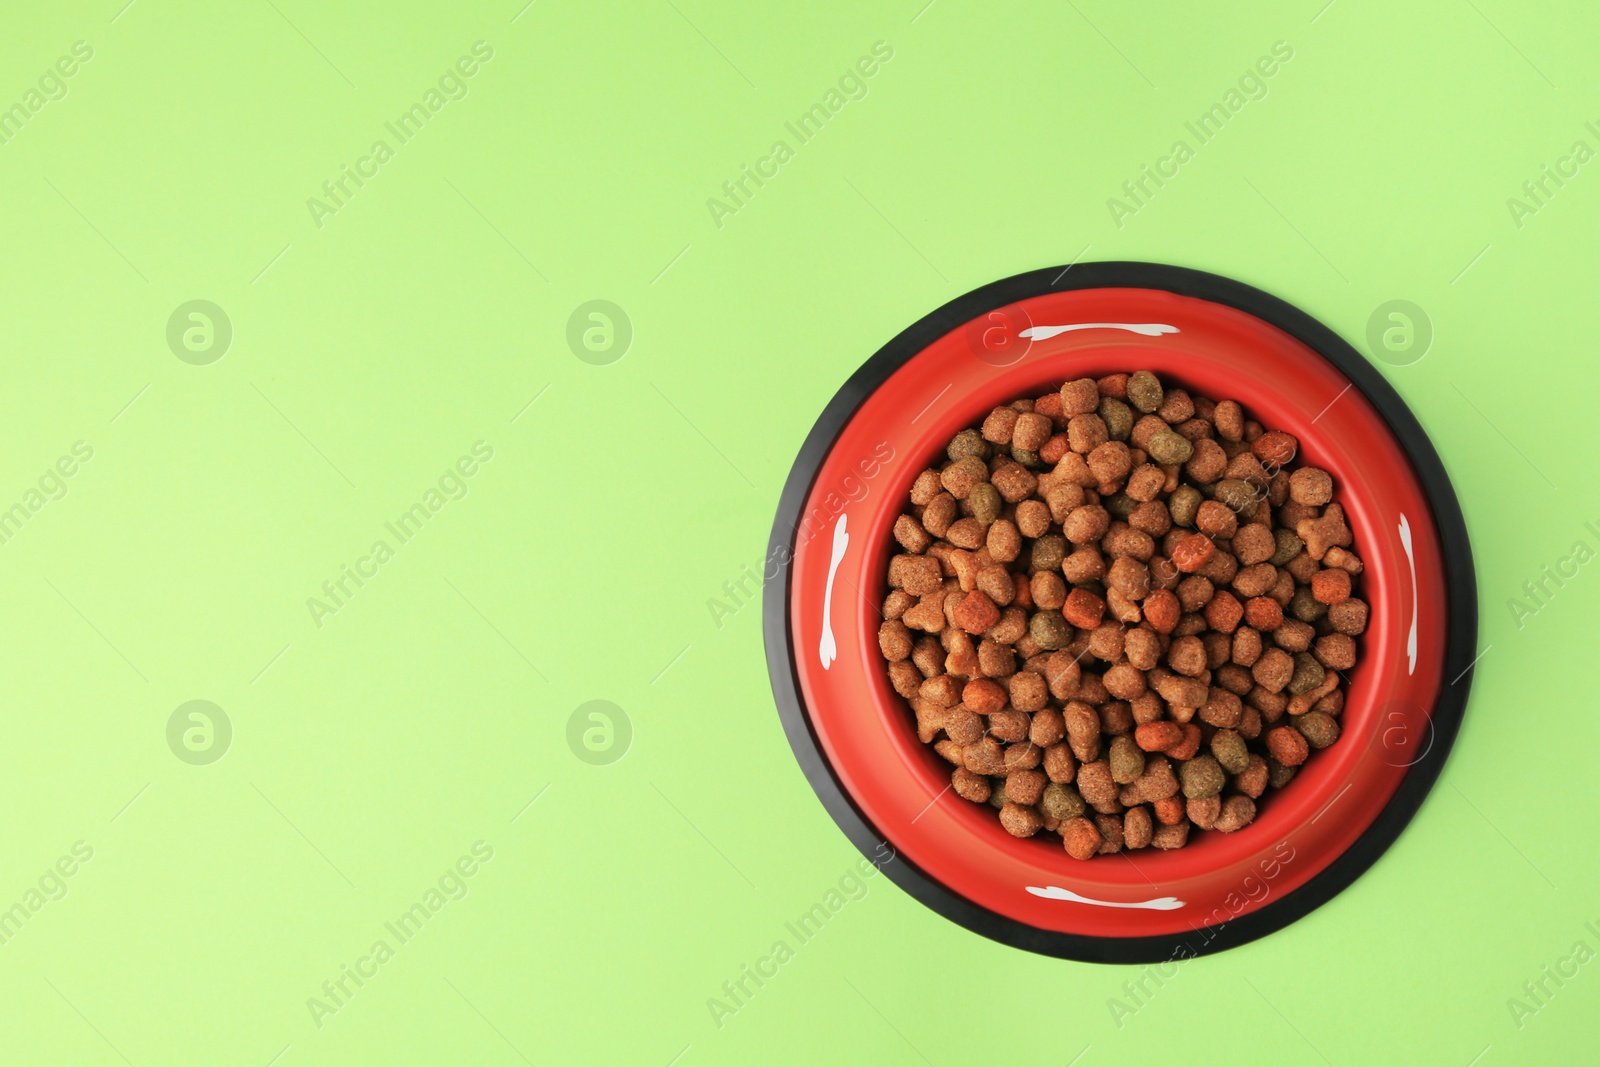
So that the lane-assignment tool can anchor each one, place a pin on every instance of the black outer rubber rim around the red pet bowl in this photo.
(1460, 610)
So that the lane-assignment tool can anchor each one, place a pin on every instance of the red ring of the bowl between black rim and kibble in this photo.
(866, 730)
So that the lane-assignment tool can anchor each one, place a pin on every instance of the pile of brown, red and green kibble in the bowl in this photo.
(1121, 610)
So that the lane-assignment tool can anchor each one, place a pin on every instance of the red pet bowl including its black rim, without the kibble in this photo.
(855, 738)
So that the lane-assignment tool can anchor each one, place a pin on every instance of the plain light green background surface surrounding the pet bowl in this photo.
(369, 354)
